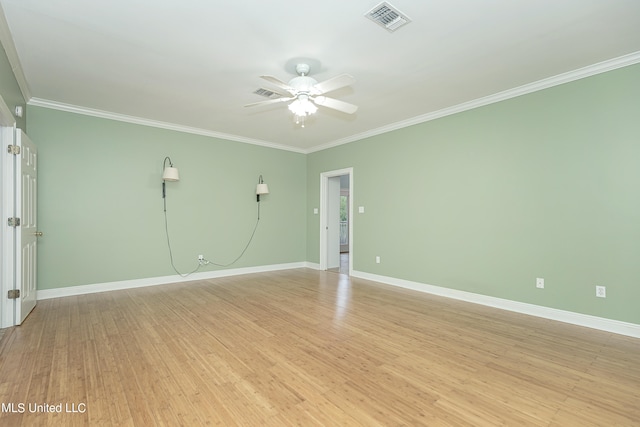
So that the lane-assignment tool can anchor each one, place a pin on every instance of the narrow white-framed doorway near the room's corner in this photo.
(336, 221)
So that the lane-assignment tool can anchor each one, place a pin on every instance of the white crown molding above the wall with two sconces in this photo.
(37, 102)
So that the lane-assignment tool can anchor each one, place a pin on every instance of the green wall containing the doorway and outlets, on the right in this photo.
(543, 185)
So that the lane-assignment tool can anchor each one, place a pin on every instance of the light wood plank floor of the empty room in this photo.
(304, 347)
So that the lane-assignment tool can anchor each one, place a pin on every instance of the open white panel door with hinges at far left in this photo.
(27, 239)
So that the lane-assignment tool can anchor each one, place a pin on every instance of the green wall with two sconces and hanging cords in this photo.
(101, 209)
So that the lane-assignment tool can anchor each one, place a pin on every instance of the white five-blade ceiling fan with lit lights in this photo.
(305, 93)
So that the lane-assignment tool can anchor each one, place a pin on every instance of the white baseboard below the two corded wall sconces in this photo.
(153, 281)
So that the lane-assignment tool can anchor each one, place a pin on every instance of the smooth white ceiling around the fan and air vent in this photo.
(193, 64)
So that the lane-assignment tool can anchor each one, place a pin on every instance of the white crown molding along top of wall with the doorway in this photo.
(581, 73)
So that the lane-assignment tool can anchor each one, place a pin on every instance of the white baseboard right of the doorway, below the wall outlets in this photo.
(600, 323)
